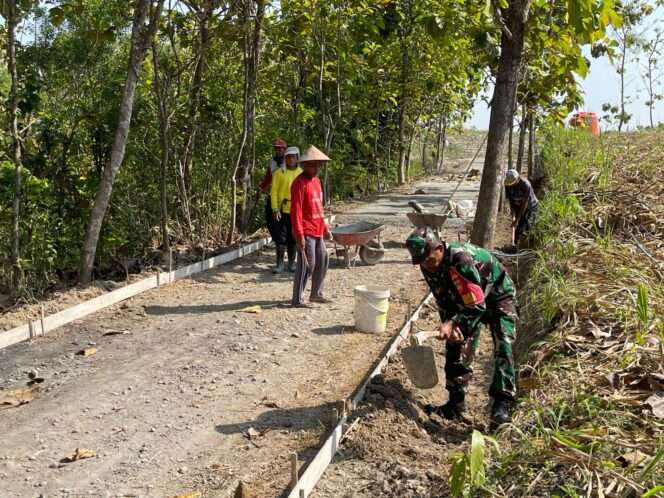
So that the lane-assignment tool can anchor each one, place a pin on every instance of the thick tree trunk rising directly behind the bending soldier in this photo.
(515, 17)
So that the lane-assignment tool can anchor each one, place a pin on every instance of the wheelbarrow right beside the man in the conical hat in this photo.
(361, 239)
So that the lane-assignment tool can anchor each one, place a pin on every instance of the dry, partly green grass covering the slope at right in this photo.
(588, 422)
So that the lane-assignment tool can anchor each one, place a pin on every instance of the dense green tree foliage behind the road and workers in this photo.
(360, 79)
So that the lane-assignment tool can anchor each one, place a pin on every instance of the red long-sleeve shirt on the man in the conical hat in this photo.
(307, 217)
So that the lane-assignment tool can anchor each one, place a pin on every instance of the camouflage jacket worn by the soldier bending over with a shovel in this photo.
(468, 283)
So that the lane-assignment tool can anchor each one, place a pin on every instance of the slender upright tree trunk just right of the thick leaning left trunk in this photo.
(164, 139)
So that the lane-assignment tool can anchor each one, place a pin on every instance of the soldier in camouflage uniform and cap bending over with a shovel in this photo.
(471, 288)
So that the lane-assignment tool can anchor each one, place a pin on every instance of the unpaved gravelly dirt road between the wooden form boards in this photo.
(189, 392)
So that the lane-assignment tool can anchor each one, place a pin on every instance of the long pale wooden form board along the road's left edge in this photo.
(41, 327)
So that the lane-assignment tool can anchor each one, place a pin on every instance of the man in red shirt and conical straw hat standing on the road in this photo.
(309, 229)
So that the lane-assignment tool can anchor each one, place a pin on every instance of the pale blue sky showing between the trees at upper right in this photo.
(600, 86)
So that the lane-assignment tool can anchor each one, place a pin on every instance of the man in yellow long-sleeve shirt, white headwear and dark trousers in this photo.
(281, 184)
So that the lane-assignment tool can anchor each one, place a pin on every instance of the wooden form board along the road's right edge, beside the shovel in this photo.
(317, 466)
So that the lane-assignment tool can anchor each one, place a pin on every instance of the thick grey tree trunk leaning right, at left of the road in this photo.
(140, 39)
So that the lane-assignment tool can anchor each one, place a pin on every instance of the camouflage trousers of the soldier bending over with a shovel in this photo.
(501, 320)
